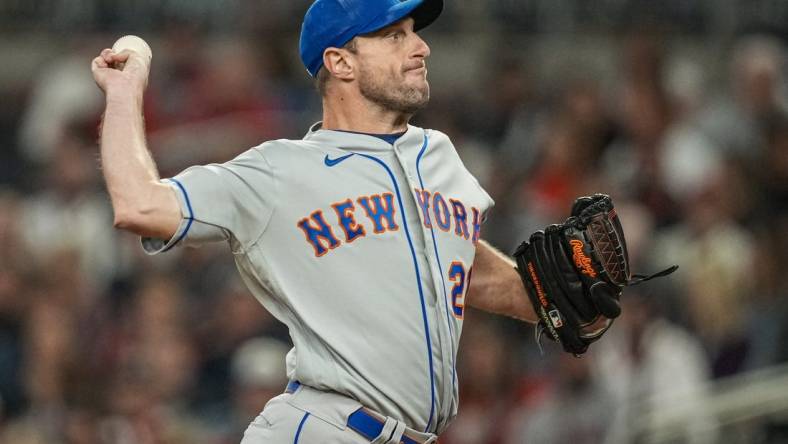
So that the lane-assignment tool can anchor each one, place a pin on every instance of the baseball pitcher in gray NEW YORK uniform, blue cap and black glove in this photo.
(363, 236)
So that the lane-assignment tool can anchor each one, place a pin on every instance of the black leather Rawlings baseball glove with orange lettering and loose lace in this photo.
(574, 273)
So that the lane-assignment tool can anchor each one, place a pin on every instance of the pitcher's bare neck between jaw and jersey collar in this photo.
(354, 113)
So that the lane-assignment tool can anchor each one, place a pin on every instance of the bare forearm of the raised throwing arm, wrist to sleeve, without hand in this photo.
(138, 199)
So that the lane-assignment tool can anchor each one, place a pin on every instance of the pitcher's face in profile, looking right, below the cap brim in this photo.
(392, 69)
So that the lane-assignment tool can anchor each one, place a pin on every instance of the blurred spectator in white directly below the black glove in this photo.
(649, 365)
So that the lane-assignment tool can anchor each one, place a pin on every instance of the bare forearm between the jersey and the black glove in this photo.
(496, 287)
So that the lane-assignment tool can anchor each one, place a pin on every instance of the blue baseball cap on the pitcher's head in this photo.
(333, 23)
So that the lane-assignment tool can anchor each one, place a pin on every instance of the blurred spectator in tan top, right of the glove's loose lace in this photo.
(715, 254)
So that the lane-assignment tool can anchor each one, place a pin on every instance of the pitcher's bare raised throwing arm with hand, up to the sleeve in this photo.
(140, 202)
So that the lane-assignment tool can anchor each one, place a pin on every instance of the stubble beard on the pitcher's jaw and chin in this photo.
(393, 94)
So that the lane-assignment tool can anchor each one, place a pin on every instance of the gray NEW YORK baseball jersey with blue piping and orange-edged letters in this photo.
(362, 248)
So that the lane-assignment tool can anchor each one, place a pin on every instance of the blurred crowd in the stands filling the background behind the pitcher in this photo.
(677, 109)
